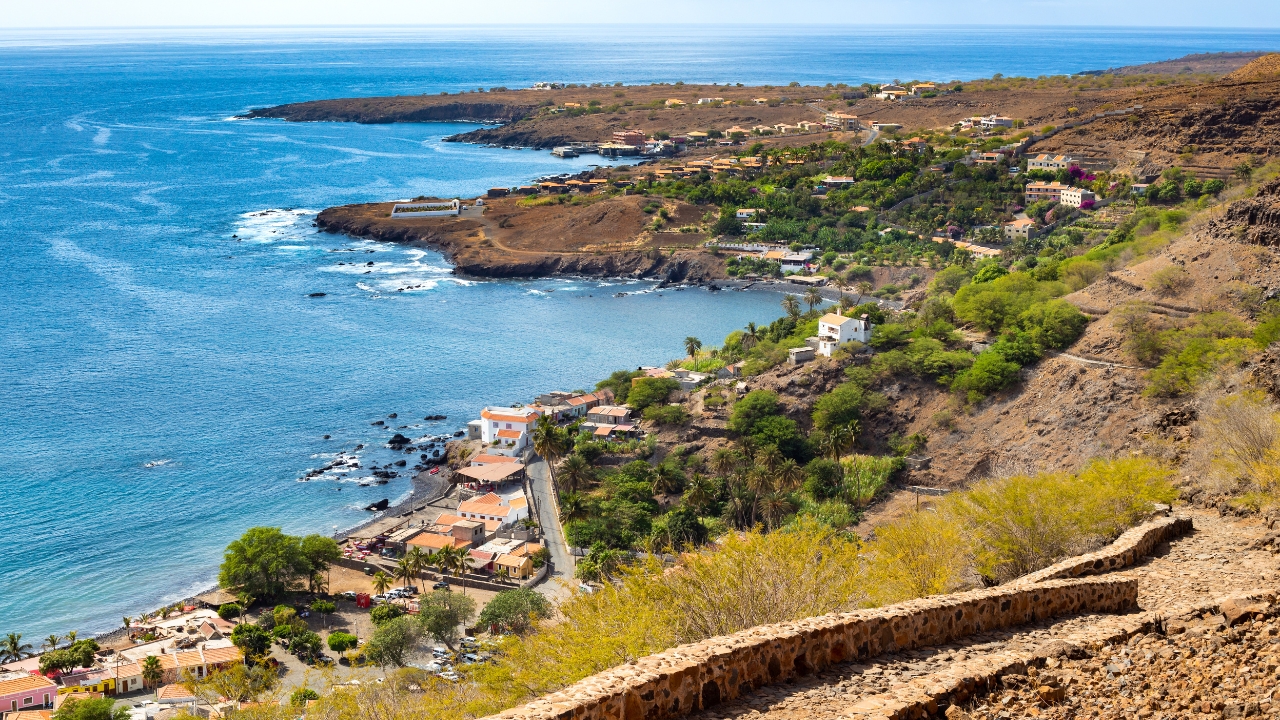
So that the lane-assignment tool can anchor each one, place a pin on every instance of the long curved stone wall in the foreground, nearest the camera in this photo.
(700, 676)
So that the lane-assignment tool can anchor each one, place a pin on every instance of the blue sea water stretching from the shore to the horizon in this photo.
(164, 375)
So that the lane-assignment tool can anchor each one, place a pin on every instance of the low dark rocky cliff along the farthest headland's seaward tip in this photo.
(405, 110)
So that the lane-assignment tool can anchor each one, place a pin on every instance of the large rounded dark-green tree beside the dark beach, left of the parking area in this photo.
(264, 562)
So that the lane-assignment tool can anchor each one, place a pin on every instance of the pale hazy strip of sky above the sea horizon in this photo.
(1252, 15)
